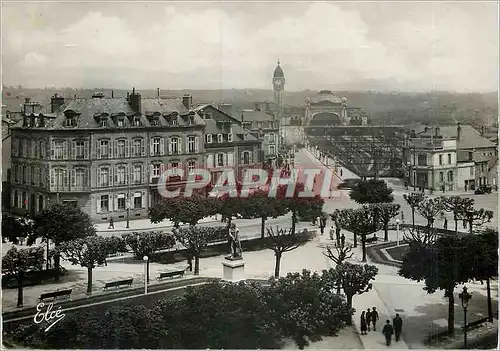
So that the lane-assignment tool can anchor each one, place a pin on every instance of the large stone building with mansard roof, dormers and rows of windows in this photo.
(104, 154)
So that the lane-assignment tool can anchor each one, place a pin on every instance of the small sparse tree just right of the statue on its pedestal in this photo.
(284, 240)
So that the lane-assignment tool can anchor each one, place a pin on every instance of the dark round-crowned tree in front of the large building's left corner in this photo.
(61, 223)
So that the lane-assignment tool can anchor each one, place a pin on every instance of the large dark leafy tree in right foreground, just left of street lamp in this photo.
(440, 265)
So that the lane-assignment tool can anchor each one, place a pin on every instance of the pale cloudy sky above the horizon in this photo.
(402, 46)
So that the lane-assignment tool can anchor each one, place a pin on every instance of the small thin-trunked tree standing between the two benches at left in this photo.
(87, 252)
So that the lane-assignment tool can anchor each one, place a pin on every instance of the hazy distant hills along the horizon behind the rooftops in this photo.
(436, 107)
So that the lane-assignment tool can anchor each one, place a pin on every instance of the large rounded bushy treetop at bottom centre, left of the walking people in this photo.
(305, 307)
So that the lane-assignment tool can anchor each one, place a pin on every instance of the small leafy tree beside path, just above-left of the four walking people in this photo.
(355, 279)
